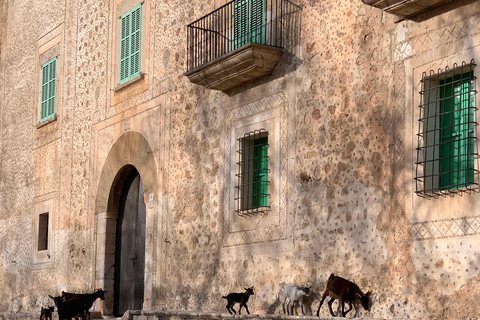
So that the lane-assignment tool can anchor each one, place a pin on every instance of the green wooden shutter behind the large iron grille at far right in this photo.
(456, 132)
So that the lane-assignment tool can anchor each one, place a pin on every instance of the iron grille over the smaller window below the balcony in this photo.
(251, 190)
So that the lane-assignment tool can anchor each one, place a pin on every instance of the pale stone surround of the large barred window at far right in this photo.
(431, 211)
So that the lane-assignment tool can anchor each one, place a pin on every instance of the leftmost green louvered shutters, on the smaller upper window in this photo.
(49, 72)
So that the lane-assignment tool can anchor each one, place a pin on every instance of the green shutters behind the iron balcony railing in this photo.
(248, 22)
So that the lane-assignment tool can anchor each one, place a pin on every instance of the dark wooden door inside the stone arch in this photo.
(130, 247)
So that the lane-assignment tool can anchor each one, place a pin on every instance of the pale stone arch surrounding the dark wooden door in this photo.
(131, 150)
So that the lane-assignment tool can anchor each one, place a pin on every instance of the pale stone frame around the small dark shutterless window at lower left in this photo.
(43, 258)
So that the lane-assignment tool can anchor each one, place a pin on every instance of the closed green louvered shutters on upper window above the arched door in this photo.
(130, 44)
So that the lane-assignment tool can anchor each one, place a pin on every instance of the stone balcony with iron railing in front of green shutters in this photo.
(239, 42)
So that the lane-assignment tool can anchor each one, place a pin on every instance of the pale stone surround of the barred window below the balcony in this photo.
(270, 113)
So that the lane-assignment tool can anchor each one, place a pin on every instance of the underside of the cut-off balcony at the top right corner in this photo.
(405, 8)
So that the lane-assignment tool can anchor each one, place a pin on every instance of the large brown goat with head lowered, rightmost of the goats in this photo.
(345, 291)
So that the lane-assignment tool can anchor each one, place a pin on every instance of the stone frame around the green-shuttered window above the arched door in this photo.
(120, 10)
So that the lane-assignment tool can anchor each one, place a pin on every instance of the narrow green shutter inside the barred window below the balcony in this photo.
(260, 173)
